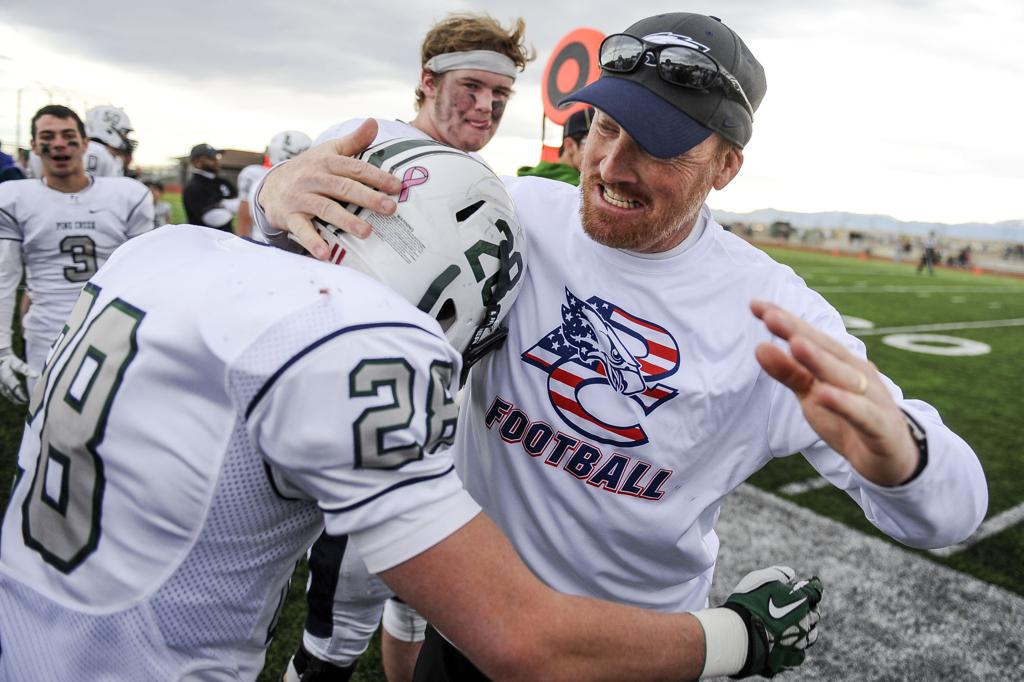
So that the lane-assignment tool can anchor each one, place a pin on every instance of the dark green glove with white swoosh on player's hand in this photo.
(782, 618)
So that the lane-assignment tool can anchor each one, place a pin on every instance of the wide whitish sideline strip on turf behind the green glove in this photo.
(888, 614)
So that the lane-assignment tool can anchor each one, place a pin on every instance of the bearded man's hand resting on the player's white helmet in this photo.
(314, 184)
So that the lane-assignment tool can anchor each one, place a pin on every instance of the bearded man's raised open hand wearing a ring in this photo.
(842, 397)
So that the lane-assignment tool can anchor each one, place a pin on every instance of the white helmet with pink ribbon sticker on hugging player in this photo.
(455, 248)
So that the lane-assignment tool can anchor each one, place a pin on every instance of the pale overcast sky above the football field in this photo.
(907, 108)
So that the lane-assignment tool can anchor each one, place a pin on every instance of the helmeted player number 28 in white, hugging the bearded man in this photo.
(186, 446)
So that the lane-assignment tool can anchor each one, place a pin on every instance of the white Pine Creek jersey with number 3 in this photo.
(67, 237)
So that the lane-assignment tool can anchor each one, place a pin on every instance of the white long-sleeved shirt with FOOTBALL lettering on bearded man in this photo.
(627, 404)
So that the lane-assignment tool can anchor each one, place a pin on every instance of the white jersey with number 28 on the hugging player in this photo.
(190, 444)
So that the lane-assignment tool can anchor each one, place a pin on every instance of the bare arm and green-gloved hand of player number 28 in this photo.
(477, 591)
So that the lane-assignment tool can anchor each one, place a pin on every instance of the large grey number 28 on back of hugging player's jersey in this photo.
(62, 514)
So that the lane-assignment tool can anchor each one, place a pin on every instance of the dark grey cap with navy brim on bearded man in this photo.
(668, 120)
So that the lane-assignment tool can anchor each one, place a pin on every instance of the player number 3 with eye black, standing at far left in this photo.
(62, 228)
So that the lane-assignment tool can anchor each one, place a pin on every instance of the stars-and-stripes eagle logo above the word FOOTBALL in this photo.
(605, 366)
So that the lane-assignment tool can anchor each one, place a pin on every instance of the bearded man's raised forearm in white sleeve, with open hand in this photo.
(917, 481)
